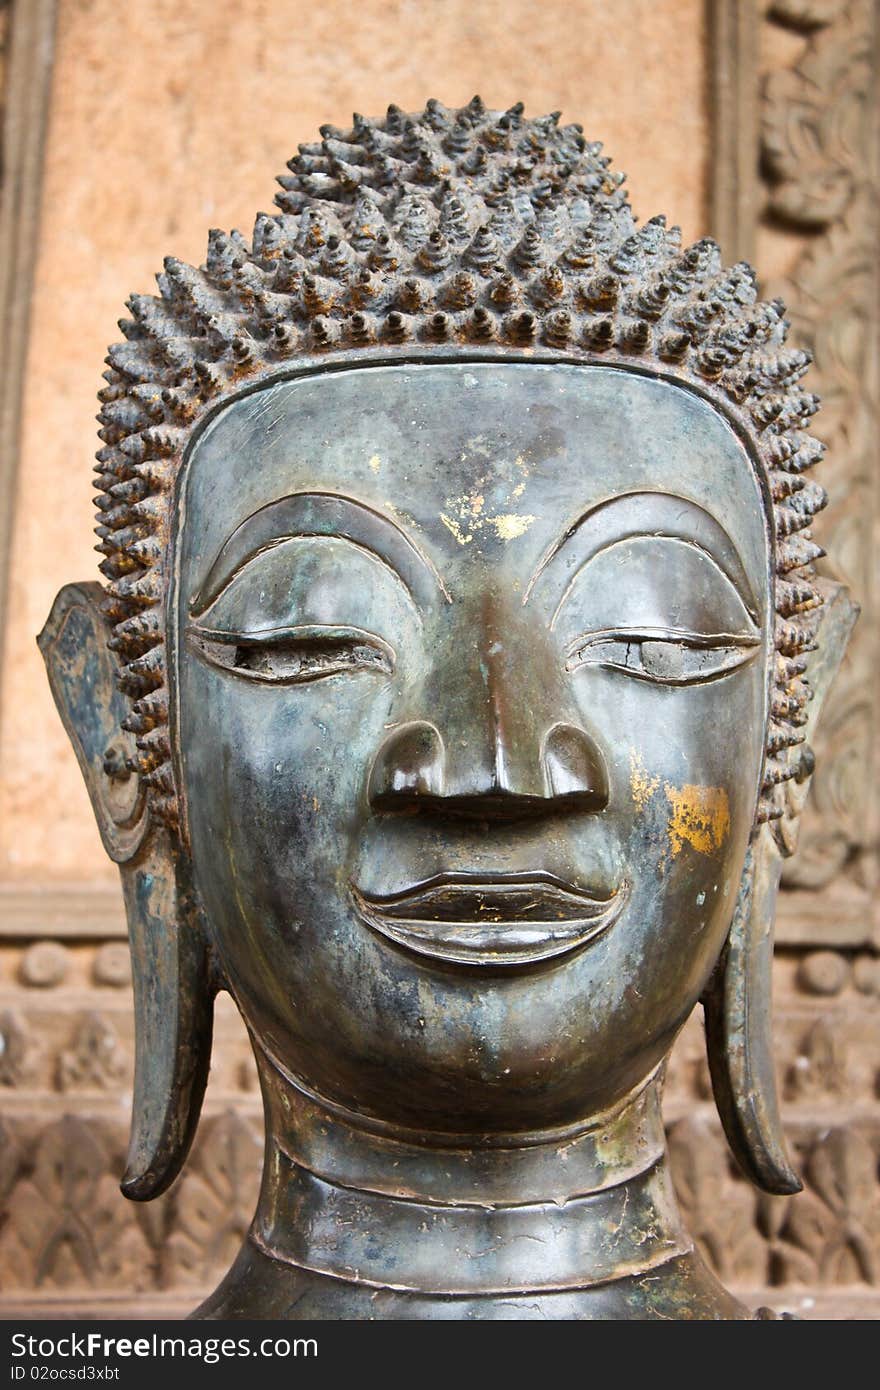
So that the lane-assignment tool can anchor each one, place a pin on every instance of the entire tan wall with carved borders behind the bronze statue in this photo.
(166, 117)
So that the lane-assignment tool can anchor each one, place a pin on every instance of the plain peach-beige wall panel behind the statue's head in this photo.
(169, 117)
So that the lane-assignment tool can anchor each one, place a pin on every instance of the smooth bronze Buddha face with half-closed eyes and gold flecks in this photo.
(471, 687)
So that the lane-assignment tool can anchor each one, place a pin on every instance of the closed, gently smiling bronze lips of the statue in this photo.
(504, 921)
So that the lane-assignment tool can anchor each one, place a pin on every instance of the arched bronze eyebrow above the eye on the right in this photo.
(642, 515)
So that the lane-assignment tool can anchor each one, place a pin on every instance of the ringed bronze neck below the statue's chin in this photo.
(384, 1210)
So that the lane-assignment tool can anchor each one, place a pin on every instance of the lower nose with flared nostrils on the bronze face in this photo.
(414, 771)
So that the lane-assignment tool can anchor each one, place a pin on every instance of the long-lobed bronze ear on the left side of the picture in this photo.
(174, 988)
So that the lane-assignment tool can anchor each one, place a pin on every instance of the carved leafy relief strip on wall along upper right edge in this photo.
(820, 151)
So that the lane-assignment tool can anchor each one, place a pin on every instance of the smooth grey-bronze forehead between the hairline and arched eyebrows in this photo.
(471, 455)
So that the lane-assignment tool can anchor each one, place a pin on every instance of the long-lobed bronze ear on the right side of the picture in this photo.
(738, 1003)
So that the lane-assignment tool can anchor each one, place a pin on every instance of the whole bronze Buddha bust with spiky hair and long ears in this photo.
(453, 715)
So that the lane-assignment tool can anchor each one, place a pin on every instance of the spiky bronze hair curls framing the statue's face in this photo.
(469, 229)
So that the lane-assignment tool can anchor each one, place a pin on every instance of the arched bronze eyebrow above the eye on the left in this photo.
(330, 515)
